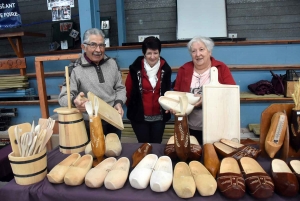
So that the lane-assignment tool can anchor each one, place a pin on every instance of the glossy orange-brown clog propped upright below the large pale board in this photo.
(211, 160)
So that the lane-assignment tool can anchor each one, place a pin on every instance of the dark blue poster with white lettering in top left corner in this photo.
(9, 14)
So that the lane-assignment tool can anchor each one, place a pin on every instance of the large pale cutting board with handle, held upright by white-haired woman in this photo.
(221, 110)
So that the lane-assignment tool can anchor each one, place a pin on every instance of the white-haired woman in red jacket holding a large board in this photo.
(194, 74)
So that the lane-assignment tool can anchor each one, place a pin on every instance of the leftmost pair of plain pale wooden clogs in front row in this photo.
(71, 170)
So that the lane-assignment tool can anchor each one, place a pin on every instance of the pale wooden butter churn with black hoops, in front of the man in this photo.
(72, 131)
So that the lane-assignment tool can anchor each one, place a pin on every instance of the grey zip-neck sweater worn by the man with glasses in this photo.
(105, 81)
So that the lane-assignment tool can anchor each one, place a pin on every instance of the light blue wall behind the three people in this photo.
(231, 55)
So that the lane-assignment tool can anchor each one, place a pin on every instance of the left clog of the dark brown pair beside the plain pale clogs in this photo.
(230, 180)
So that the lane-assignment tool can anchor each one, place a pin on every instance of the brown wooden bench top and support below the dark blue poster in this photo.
(18, 46)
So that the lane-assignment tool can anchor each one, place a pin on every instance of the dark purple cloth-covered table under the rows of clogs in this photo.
(47, 191)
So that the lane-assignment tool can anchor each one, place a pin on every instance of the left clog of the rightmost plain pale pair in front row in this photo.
(183, 182)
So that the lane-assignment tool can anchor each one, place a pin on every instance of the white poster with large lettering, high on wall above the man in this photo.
(61, 9)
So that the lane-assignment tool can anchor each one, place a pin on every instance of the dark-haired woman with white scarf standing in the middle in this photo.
(149, 78)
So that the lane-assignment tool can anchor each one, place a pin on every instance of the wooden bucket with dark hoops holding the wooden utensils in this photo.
(29, 170)
